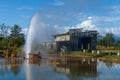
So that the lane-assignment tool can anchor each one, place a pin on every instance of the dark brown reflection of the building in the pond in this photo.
(77, 69)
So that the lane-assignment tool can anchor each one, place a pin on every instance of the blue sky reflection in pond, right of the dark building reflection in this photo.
(108, 70)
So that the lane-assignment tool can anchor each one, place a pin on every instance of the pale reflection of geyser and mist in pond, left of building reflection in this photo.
(43, 71)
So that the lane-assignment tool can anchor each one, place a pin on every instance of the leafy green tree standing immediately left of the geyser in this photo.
(16, 40)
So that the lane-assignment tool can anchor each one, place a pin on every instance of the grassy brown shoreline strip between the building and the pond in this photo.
(80, 55)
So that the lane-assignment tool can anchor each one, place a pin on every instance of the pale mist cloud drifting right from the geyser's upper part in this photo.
(39, 30)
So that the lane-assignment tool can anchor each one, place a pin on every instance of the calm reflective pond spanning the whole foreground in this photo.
(59, 69)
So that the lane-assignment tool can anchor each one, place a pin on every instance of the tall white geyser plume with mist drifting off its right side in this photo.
(38, 32)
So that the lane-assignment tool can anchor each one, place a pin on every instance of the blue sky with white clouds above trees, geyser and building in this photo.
(101, 15)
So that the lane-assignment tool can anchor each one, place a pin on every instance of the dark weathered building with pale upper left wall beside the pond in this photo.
(76, 39)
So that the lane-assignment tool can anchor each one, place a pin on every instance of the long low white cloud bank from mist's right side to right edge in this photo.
(89, 24)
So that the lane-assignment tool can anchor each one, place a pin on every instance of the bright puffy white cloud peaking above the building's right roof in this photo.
(89, 24)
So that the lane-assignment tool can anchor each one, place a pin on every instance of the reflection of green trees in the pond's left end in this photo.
(10, 66)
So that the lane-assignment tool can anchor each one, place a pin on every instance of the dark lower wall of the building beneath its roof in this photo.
(76, 44)
